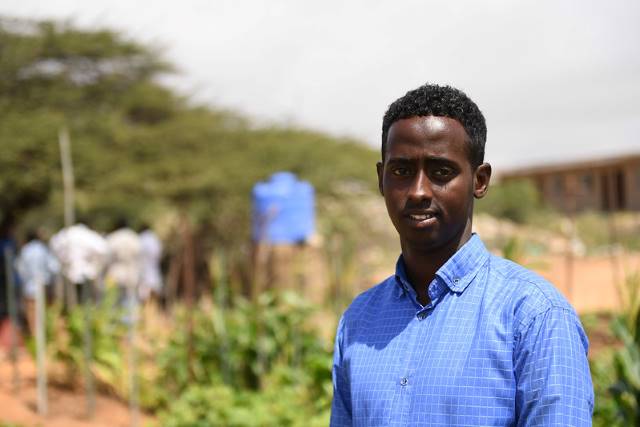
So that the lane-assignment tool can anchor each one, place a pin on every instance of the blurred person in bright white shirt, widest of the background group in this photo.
(83, 255)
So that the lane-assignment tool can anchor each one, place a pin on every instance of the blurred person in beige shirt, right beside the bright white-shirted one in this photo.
(124, 262)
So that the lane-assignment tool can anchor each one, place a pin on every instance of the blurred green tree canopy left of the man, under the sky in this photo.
(138, 147)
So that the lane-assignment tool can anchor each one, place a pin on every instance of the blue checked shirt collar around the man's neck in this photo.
(459, 270)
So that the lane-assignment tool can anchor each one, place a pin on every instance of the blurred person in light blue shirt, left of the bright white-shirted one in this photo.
(37, 266)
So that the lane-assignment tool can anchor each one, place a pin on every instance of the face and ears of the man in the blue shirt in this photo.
(428, 183)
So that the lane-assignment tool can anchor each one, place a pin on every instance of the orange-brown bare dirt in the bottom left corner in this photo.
(66, 407)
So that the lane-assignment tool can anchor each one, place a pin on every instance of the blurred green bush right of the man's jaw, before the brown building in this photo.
(517, 201)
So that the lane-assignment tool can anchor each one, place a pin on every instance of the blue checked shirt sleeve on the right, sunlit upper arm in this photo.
(552, 372)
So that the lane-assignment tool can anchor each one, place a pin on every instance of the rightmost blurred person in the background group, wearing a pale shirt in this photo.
(150, 254)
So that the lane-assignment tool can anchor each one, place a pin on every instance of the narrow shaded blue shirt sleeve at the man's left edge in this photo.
(341, 404)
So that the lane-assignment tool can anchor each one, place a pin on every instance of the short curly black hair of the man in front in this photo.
(440, 101)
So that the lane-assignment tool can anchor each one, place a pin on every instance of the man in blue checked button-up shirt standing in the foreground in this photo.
(457, 336)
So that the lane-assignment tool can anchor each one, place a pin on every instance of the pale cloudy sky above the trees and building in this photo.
(556, 80)
